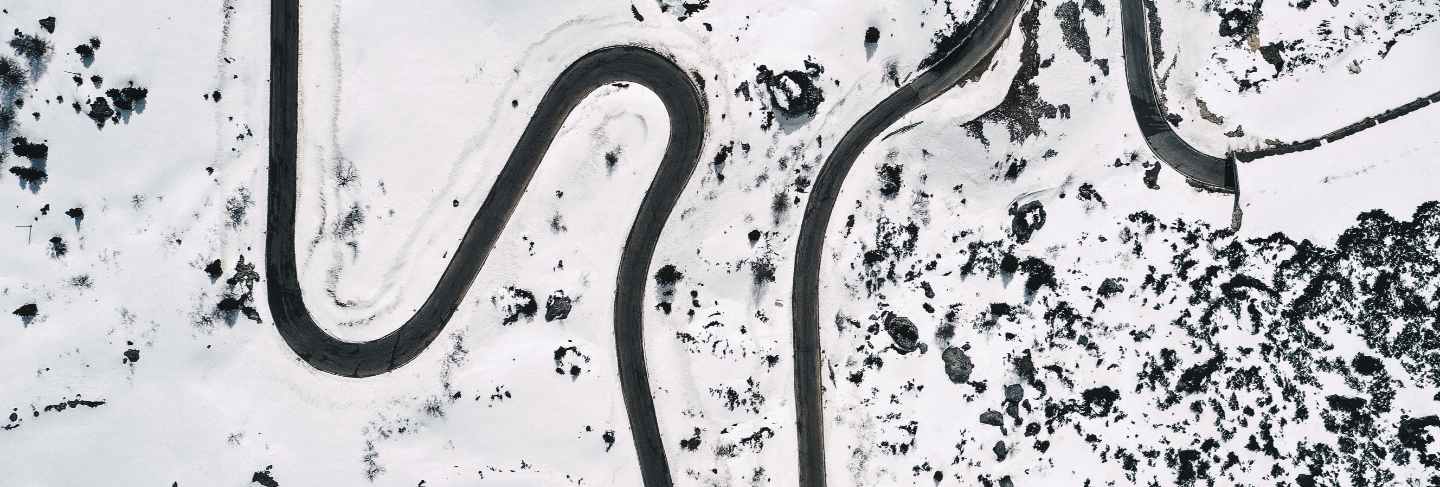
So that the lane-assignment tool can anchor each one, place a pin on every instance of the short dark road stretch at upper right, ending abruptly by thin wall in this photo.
(1199, 168)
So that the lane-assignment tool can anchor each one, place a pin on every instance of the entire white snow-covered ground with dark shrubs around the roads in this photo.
(1017, 292)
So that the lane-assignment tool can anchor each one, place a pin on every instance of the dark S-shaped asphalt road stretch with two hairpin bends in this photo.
(683, 103)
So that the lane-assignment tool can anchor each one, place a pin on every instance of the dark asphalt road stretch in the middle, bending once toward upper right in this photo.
(968, 57)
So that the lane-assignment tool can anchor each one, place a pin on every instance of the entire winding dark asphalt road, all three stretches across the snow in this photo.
(686, 109)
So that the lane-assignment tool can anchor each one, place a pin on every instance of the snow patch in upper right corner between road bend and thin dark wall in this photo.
(1281, 73)
